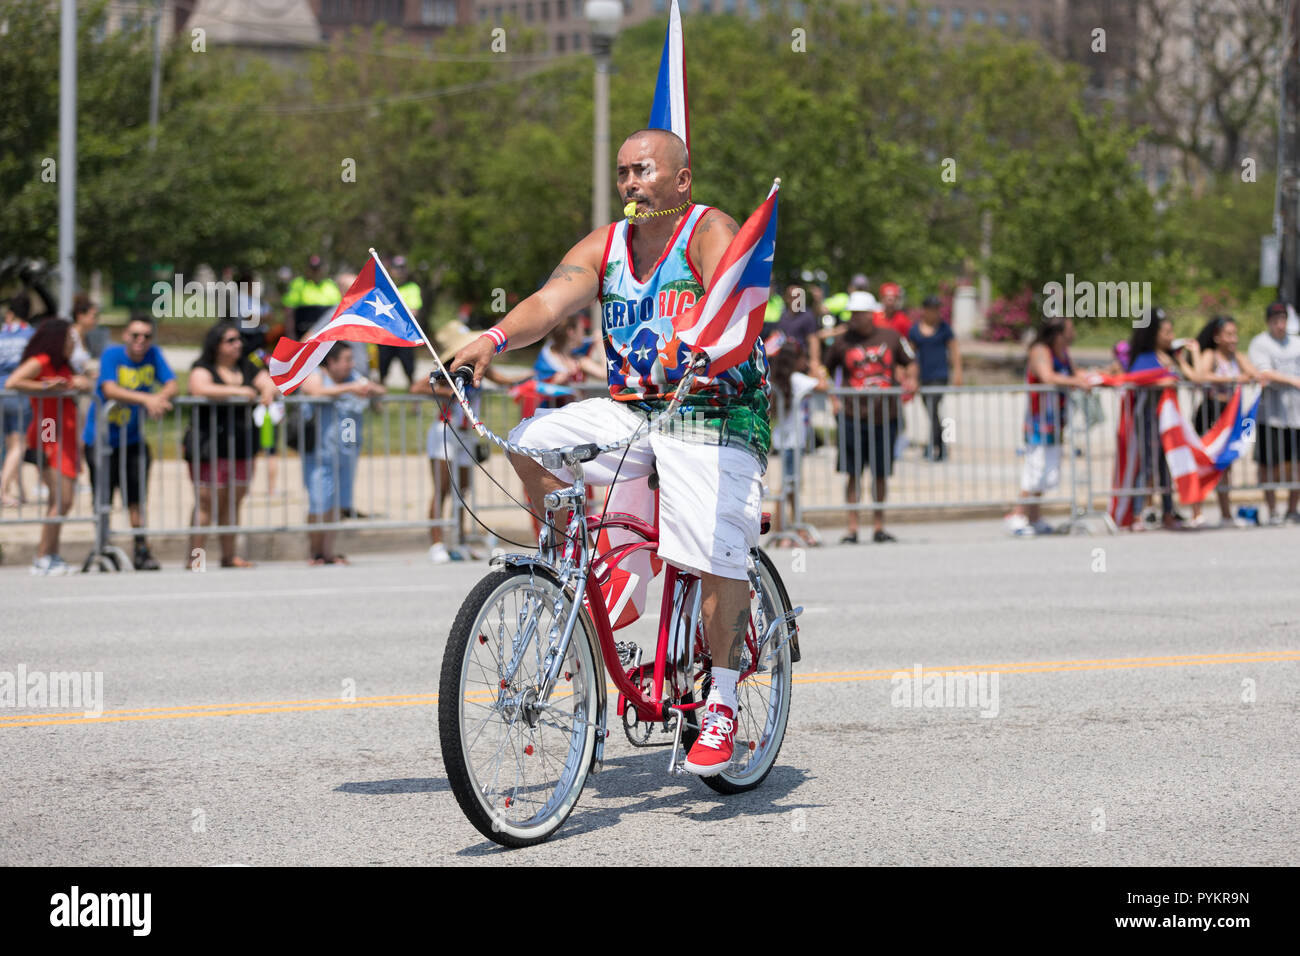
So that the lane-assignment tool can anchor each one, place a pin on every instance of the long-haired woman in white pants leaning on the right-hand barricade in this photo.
(1046, 418)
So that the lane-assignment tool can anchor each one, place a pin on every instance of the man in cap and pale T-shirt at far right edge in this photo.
(1277, 443)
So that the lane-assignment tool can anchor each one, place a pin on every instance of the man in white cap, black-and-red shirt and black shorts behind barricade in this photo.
(870, 358)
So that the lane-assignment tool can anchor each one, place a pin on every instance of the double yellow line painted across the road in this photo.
(814, 678)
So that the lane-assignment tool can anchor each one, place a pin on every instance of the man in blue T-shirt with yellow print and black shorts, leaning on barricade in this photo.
(135, 378)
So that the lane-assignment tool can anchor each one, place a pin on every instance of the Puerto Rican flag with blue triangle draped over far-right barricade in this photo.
(1197, 462)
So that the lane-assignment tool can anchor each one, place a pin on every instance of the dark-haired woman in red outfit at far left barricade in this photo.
(46, 366)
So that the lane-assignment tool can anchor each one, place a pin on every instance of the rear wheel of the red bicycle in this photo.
(764, 697)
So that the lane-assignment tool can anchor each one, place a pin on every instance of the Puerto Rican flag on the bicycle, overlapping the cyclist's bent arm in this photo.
(726, 323)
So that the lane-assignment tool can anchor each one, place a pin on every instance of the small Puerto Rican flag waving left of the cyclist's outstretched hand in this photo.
(372, 312)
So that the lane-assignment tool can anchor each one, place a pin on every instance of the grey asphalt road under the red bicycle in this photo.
(1149, 695)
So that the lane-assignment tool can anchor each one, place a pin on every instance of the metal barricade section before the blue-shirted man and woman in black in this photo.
(392, 478)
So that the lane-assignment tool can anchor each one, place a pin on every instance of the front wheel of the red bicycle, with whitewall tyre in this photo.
(515, 763)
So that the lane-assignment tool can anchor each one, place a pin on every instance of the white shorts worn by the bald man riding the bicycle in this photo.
(710, 498)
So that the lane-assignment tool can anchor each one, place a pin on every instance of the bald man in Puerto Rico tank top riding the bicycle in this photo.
(645, 270)
